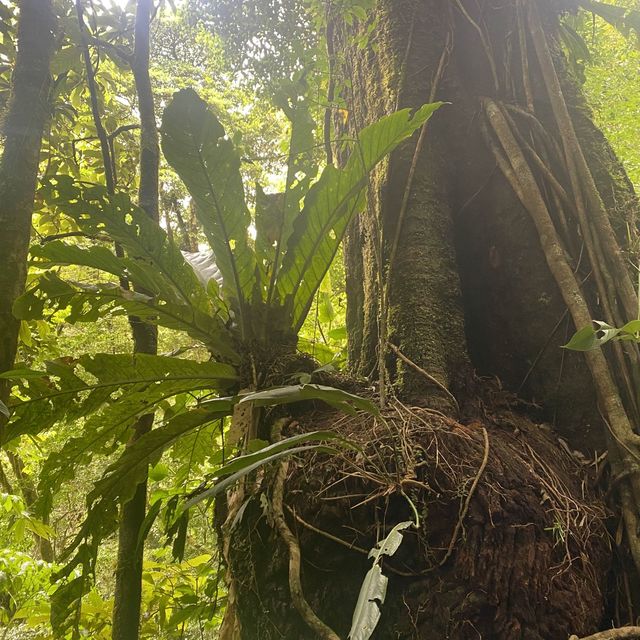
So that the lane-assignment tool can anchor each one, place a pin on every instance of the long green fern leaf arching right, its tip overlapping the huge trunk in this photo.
(330, 205)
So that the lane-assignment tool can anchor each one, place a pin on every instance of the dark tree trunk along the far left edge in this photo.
(23, 129)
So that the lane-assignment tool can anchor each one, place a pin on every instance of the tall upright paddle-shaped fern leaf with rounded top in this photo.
(195, 145)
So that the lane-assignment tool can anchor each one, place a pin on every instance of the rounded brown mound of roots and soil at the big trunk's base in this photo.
(511, 544)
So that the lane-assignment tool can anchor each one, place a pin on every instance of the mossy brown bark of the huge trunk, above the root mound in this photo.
(468, 270)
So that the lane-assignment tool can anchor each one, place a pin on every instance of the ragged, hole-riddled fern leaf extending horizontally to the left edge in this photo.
(110, 392)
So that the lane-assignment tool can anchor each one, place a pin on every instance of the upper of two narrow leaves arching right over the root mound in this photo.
(337, 398)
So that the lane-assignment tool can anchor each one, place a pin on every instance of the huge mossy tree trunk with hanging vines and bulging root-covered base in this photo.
(485, 244)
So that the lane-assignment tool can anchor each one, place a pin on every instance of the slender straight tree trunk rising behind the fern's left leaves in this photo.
(128, 592)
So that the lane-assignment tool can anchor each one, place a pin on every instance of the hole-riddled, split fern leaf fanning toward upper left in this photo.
(173, 294)
